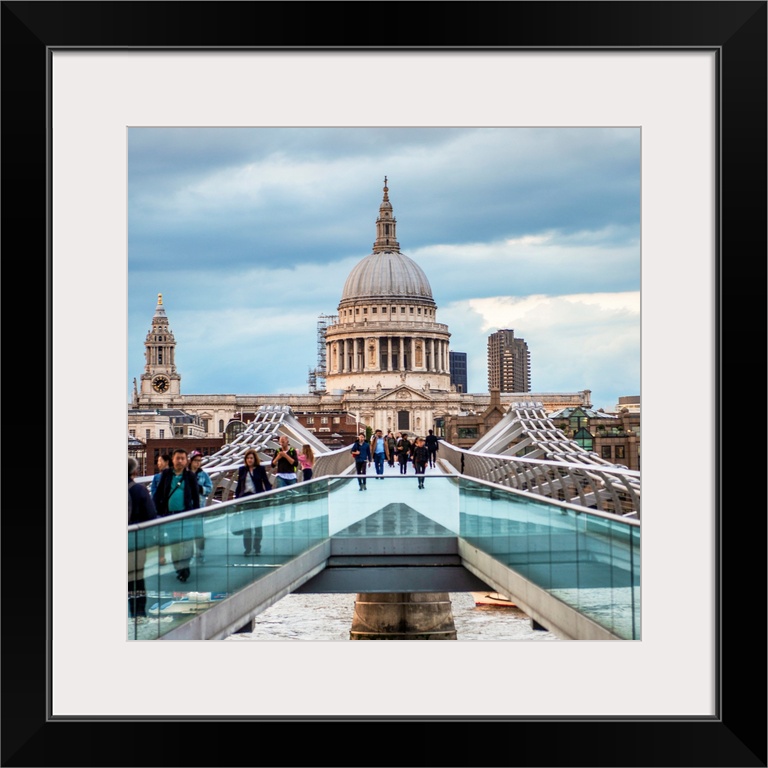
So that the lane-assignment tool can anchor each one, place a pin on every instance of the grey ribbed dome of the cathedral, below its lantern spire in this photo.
(387, 275)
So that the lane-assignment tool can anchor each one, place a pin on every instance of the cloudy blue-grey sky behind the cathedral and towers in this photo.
(250, 234)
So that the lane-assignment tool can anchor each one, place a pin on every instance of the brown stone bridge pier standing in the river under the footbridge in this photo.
(403, 616)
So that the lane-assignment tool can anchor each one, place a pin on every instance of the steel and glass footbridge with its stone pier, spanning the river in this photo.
(526, 512)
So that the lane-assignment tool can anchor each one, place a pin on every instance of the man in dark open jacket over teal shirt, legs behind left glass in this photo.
(177, 491)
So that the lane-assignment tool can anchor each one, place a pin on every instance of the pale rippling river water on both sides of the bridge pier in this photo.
(329, 617)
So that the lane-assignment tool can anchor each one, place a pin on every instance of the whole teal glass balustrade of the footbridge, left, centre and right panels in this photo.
(588, 561)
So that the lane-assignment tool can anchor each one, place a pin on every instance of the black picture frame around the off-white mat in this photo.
(736, 736)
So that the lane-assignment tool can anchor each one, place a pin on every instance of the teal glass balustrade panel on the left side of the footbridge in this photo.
(190, 563)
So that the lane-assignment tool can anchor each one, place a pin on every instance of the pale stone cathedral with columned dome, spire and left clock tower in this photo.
(387, 358)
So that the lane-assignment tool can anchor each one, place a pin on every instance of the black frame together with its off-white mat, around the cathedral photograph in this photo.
(691, 76)
